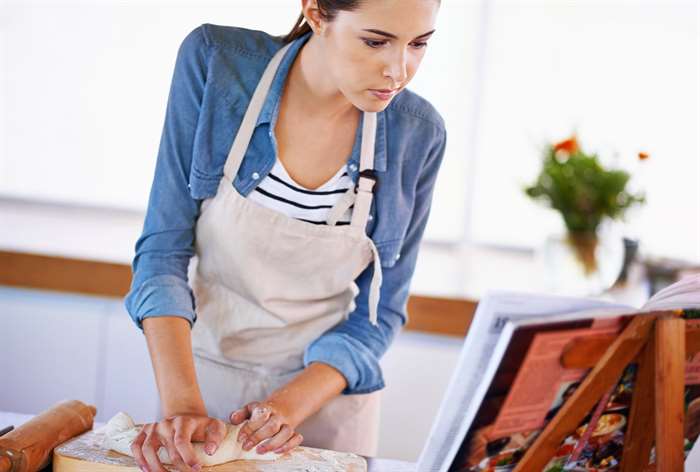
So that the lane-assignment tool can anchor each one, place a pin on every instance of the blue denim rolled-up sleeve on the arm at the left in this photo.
(162, 253)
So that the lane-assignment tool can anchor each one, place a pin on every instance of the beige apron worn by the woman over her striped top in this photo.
(267, 285)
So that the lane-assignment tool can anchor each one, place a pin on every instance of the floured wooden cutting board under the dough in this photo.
(84, 454)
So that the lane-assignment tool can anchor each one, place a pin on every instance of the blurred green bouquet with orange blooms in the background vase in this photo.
(587, 196)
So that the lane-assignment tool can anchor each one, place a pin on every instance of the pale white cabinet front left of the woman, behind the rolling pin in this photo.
(56, 346)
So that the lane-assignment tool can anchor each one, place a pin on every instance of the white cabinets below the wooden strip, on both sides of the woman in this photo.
(56, 346)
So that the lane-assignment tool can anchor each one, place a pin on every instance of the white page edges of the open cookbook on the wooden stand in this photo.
(496, 317)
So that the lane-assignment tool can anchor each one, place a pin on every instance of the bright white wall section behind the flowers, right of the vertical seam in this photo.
(623, 74)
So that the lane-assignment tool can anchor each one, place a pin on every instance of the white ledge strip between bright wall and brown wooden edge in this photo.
(103, 234)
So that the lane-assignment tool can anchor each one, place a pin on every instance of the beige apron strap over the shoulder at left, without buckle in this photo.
(245, 132)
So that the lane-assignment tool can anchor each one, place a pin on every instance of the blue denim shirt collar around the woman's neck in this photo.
(270, 109)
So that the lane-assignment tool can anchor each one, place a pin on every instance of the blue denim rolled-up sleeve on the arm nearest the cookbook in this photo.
(354, 347)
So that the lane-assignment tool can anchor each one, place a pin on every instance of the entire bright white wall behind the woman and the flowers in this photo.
(83, 88)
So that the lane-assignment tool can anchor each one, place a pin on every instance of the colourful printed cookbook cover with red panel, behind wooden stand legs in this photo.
(529, 389)
